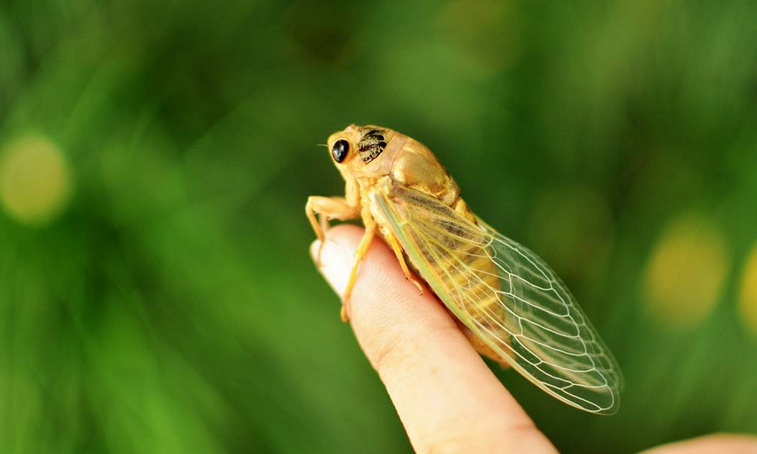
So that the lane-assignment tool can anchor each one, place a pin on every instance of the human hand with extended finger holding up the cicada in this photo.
(446, 396)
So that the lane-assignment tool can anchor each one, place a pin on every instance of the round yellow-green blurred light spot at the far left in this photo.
(35, 181)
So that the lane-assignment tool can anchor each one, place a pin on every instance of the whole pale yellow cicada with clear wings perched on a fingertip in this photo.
(513, 307)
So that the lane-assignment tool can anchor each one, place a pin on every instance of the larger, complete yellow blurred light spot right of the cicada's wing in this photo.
(686, 271)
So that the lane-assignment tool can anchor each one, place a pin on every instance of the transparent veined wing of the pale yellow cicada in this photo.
(507, 296)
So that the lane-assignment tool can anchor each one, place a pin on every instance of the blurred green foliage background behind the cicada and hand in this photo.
(156, 293)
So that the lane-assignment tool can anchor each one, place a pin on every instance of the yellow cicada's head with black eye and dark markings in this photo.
(363, 150)
